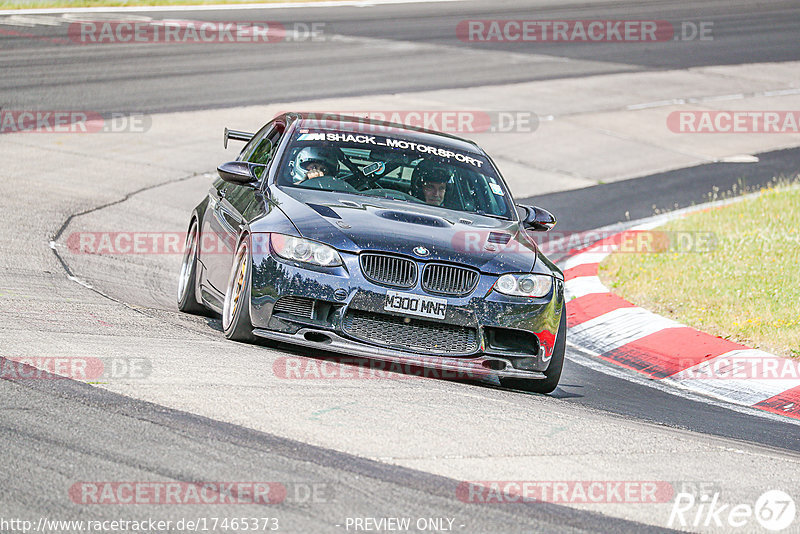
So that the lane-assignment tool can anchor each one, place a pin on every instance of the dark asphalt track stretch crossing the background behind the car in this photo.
(412, 48)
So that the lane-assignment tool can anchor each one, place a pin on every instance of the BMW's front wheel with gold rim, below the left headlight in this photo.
(236, 311)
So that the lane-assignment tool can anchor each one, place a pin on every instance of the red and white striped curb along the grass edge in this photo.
(619, 332)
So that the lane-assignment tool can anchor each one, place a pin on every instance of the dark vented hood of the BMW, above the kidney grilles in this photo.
(356, 223)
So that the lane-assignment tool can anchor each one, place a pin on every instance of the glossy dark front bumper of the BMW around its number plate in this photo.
(344, 289)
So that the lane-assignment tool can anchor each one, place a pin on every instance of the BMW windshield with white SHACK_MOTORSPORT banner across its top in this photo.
(396, 168)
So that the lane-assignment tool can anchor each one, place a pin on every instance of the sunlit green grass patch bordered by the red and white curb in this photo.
(747, 289)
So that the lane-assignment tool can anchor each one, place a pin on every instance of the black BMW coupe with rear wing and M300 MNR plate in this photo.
(381, 241)
